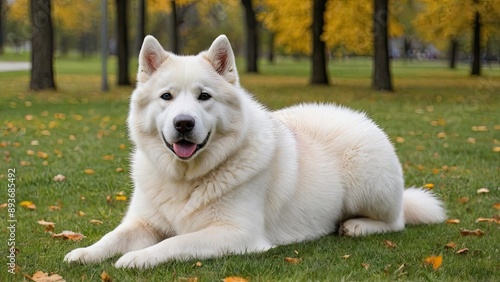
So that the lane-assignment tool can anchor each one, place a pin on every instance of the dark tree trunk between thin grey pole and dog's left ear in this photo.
(122, 42)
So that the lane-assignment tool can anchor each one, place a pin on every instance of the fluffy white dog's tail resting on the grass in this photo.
(422, 207)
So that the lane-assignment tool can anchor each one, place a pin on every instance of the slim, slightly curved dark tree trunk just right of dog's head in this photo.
(252, 36)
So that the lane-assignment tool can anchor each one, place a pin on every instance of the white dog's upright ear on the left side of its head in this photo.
(151, 57)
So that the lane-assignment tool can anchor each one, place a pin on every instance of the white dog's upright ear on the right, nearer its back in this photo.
(221, 56)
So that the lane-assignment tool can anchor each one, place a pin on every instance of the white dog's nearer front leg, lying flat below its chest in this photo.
(213, 241)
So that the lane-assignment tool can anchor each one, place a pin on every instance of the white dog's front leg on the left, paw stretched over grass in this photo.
(132, 234)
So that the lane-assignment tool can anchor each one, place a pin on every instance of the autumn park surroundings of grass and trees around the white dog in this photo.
(439, 103)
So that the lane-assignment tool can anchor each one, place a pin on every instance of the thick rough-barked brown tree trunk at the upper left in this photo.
(42, 45)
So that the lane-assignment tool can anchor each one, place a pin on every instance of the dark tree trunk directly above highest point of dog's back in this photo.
(319, 71)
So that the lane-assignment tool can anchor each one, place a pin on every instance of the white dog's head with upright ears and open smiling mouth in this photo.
(185, 103)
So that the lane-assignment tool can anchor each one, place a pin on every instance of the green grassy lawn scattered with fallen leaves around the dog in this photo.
(444, 124)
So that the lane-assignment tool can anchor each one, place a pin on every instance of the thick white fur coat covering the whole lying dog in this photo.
(263, 179)
